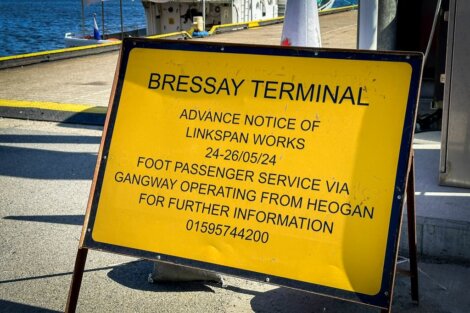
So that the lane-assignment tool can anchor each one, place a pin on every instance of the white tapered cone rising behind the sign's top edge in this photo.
(301, 24)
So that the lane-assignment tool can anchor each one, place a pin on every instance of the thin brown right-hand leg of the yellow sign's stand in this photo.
(411, 217)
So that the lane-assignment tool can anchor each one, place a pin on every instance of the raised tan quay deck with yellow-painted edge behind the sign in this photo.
(78, 85)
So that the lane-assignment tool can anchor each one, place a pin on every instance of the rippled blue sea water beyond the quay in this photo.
(28, 26)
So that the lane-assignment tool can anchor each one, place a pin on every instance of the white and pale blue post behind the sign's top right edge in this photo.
(367, 24)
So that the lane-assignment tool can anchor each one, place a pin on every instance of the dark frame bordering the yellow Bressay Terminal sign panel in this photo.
(381, 299)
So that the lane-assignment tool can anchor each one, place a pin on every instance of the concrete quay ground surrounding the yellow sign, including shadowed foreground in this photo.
(45, 177)
